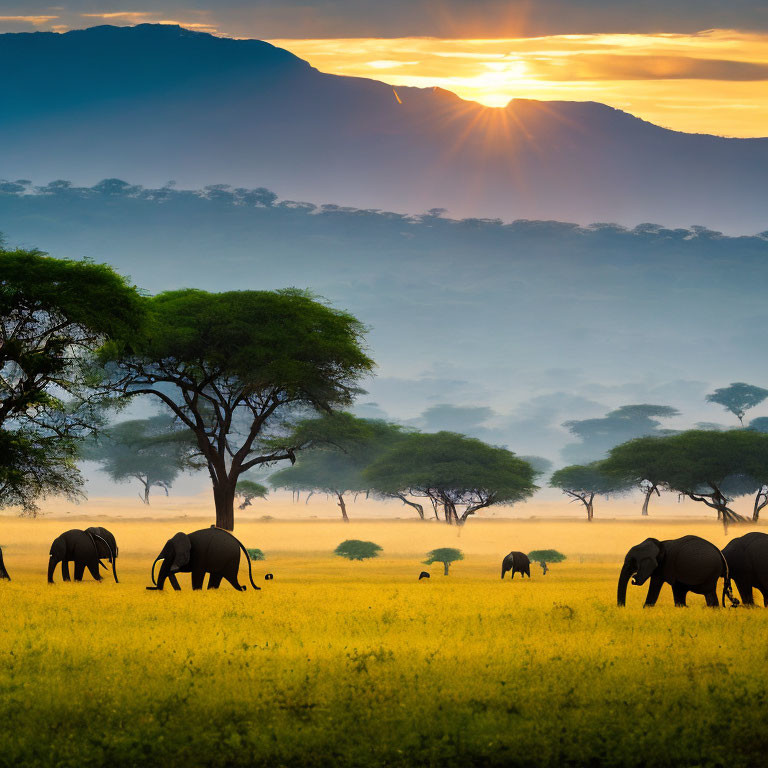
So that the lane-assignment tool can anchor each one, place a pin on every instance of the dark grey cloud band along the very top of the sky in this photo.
(396, 18)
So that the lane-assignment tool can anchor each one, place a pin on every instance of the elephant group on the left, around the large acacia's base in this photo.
(212, 551)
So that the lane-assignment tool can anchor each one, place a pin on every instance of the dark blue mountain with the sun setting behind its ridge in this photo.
(154, 103)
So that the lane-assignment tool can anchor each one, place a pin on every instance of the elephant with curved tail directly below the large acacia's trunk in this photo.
(210, 550)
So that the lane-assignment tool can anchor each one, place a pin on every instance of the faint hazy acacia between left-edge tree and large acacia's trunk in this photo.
(154, 451)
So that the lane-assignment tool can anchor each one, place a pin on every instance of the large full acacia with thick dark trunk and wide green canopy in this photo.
(233, 366)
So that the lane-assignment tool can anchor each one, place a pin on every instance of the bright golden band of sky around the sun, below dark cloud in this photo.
(711, 82)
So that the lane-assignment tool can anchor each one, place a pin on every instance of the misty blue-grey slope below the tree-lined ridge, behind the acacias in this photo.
(543, 321)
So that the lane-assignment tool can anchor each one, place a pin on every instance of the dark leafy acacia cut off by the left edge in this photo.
(53, 314)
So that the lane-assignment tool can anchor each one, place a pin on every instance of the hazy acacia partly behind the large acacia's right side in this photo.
(338, 448)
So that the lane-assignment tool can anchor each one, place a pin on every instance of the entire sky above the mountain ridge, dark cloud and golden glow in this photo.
(691, 65)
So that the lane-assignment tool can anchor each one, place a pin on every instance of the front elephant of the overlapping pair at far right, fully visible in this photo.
(687, 564)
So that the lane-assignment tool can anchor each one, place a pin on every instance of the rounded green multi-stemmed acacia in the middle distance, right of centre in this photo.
(452, 470)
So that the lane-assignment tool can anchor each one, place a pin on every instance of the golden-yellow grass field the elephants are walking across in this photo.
(358, 664)
